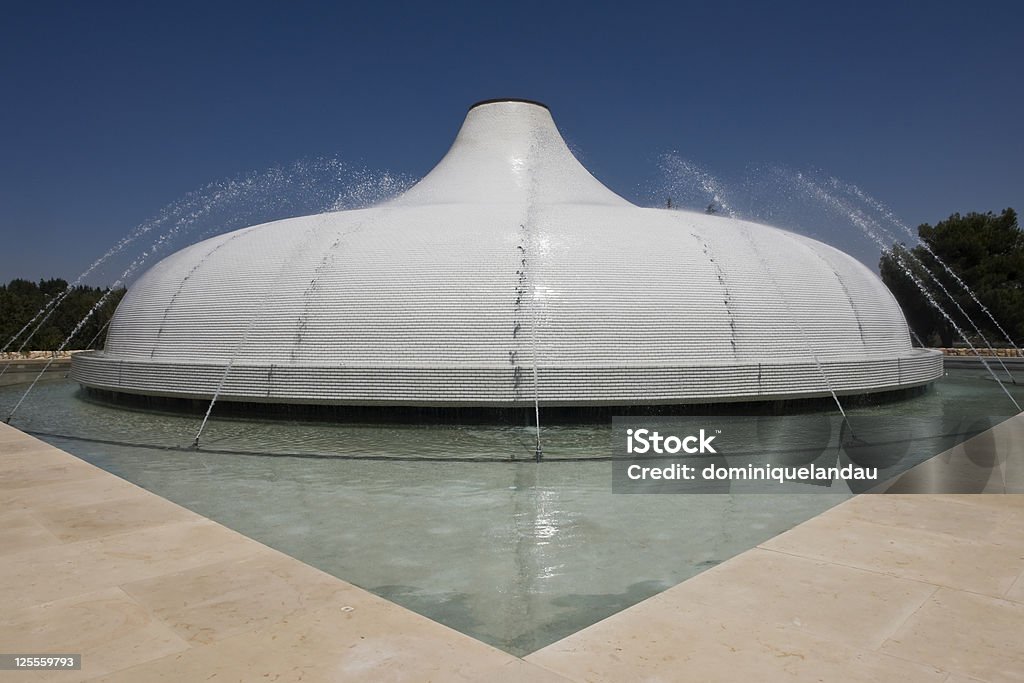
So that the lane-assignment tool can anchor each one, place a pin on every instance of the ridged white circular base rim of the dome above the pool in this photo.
(504, 388)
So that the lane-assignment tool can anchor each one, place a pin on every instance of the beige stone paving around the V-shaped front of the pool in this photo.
(882, 588)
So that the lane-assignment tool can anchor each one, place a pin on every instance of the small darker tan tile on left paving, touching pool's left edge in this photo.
(113, 517)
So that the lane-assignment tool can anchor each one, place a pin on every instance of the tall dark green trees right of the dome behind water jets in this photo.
(987, 251)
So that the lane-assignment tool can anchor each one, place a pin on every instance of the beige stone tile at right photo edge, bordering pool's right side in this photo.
(989, 568)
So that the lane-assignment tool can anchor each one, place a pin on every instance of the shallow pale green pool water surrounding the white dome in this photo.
(518, 554)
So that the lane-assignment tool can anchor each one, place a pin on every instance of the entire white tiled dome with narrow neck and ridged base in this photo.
(508, 258)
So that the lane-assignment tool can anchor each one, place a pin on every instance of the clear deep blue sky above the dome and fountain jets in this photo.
(111, 111)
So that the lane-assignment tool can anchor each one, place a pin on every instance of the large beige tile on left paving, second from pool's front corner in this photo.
(217, 602)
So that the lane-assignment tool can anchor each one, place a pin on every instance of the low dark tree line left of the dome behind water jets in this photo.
(23, 300)
